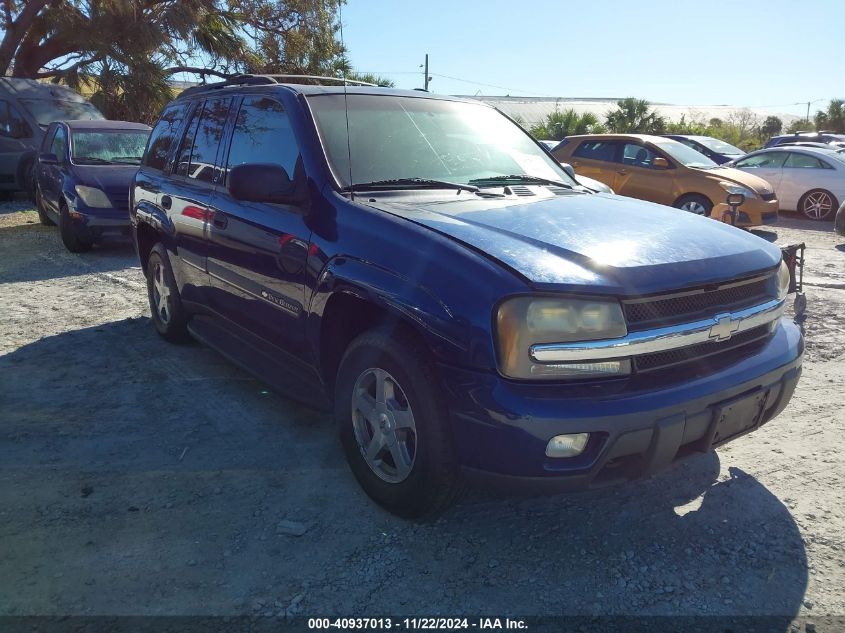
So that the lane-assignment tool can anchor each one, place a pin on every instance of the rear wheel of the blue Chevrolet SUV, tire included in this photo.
(168, 314)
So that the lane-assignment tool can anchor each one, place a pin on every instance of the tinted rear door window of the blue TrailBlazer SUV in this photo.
(198, 152)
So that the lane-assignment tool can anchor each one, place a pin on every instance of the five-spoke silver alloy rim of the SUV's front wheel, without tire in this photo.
(384, 425)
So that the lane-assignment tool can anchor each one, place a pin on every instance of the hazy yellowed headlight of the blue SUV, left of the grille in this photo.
(525, 321)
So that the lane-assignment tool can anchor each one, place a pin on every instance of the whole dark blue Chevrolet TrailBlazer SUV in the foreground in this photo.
(420, 266)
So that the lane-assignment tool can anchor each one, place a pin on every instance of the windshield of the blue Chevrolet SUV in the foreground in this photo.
(400, 138)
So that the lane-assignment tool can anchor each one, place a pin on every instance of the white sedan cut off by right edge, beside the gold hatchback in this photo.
(806, 179)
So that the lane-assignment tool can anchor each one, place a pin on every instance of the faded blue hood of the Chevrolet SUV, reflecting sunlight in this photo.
(593, 243)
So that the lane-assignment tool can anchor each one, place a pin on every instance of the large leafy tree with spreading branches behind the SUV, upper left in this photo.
(124, 51)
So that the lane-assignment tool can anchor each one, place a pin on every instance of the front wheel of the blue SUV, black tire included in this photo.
(412, 471)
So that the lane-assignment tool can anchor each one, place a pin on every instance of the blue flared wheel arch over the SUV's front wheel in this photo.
(447, 336)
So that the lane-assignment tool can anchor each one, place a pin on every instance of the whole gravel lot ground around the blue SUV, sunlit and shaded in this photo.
(137, 477)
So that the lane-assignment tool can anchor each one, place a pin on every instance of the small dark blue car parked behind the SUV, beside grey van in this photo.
(83, 176)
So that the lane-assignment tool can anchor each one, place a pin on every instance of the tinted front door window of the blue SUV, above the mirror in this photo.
(263, 134)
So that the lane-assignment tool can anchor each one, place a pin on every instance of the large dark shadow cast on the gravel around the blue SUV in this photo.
(140, 477)
